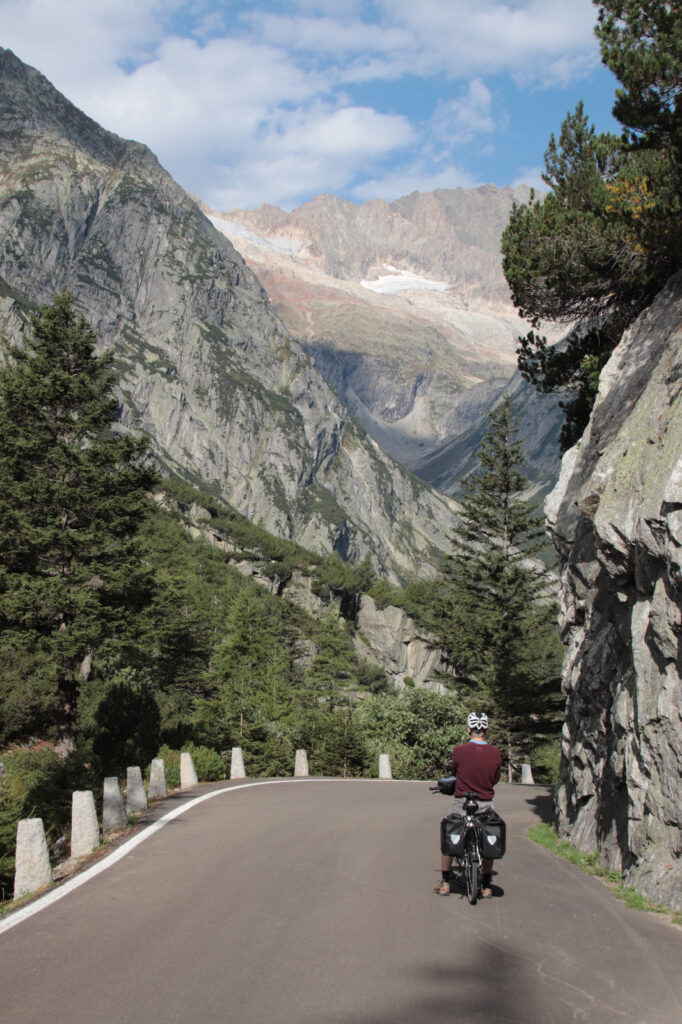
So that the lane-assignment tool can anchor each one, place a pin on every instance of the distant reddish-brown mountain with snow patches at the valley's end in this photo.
(406, 312)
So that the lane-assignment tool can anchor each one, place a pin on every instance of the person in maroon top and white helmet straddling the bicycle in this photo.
(477, 766)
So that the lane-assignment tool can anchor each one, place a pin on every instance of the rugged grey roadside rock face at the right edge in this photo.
(616, 518)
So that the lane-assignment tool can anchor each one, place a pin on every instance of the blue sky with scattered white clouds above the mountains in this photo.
(247, 102)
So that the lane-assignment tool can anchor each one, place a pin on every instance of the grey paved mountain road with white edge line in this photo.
(310, 903)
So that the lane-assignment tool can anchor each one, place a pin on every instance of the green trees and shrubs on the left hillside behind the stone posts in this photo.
(122, 637)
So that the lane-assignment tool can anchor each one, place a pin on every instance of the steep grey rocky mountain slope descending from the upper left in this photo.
(229, 399)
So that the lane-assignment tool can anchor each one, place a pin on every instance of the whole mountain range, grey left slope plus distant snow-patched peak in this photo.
(402, 309)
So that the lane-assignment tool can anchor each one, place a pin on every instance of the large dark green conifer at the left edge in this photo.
(73, 495)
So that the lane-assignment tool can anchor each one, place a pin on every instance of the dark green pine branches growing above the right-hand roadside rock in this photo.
(601, 247)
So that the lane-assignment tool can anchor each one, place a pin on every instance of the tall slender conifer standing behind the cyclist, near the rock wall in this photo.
(498, 621)
